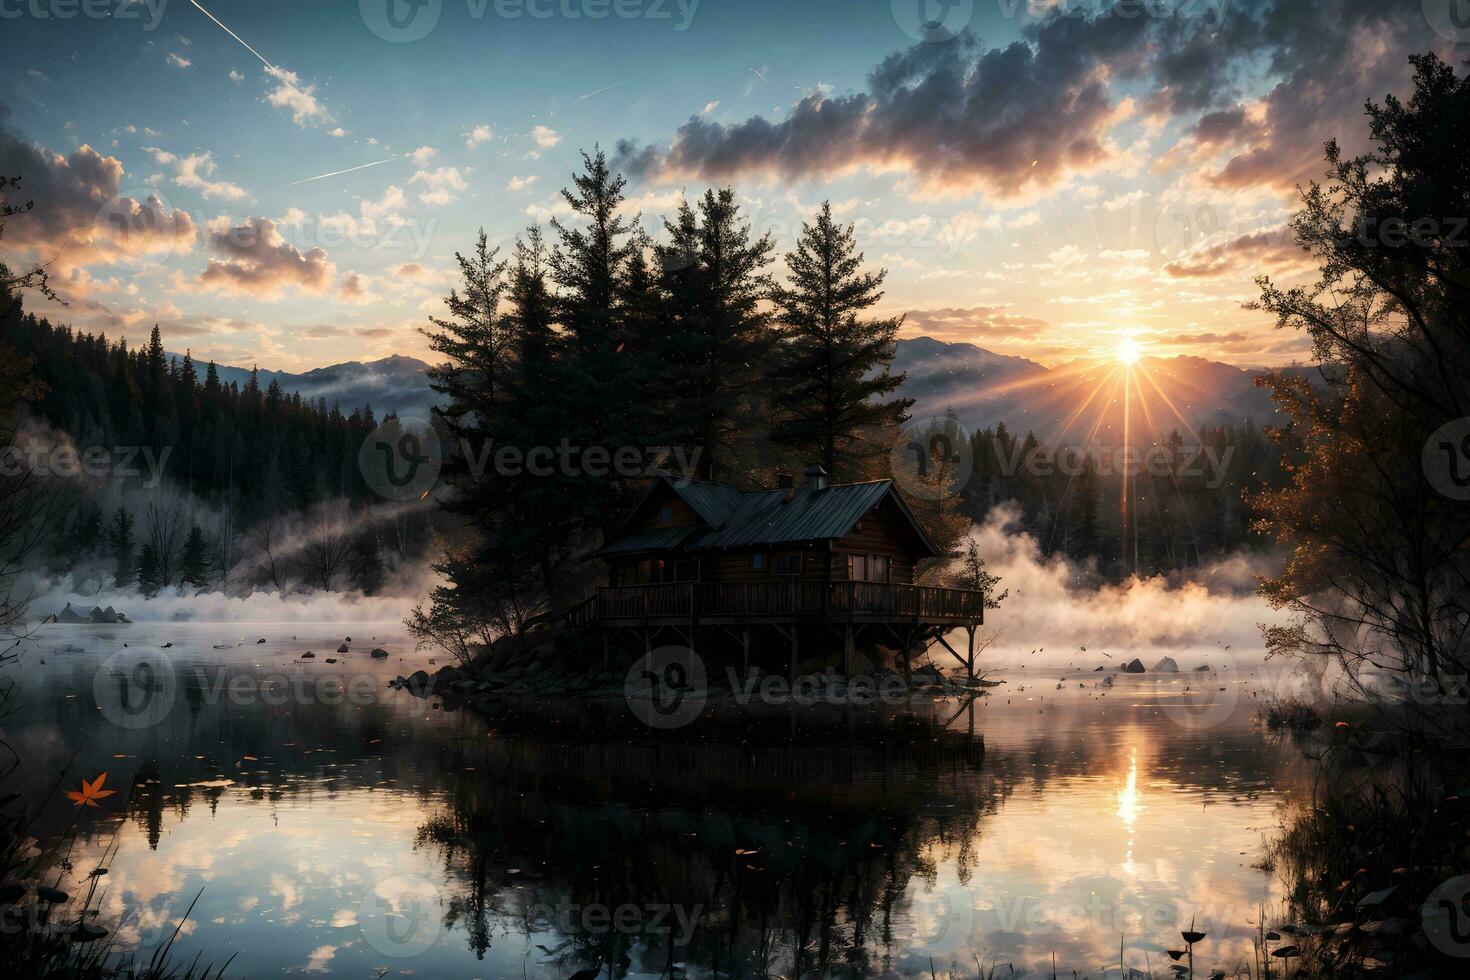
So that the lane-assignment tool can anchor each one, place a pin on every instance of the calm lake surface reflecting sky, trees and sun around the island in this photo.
(331, 826)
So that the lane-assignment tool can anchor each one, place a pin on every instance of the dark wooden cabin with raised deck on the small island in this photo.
(695, 555)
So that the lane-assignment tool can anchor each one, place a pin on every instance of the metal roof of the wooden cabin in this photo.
(755, 519)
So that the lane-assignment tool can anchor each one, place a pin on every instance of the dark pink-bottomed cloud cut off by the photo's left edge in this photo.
(82, 214)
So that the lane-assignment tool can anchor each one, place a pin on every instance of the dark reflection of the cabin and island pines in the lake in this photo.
(777, 853)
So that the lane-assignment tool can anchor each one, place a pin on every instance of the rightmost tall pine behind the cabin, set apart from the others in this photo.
(833, 365)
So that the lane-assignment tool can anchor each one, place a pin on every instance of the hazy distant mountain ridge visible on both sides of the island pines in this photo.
(980, 386)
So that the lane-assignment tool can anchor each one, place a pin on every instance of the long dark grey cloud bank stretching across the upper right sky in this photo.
(1019, 120)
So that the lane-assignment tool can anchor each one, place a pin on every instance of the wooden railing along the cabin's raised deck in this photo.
(784, 599)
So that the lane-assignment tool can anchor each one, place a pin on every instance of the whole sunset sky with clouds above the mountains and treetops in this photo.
(286, 184)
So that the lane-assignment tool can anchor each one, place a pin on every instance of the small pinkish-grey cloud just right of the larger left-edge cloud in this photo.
(257, 261)
